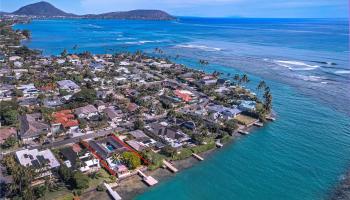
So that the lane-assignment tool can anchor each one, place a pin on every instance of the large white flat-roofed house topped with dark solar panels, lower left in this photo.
(44, 162)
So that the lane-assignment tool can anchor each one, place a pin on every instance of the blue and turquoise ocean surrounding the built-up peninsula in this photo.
(303, 154)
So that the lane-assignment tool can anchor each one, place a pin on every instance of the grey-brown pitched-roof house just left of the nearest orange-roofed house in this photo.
(32, 126)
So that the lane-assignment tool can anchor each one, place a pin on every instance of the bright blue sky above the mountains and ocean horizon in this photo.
(203, 8)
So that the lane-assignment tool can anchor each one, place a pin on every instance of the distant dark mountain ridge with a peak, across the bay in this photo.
(45, 9)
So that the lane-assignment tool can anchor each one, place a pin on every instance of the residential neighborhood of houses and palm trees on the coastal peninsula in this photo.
(81, 120)
